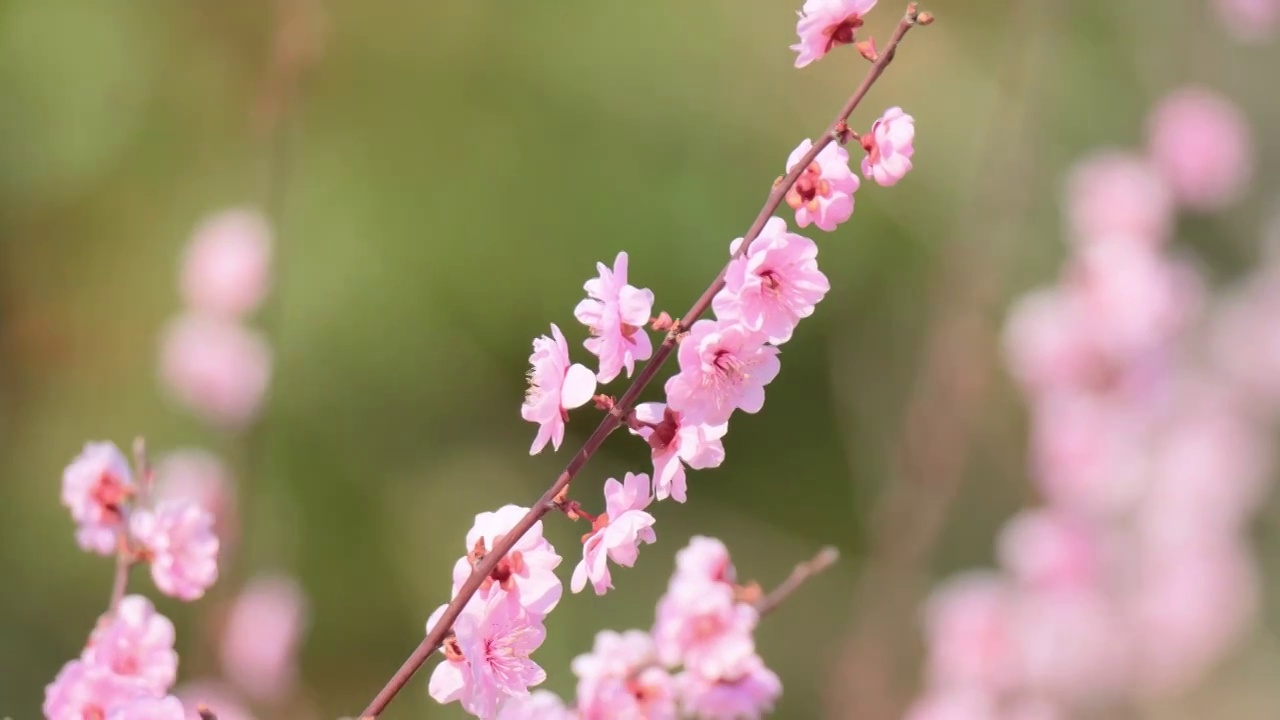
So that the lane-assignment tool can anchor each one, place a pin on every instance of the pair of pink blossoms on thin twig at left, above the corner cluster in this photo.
(175, 537)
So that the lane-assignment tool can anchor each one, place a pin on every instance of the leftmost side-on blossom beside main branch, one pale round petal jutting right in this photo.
(555, 388)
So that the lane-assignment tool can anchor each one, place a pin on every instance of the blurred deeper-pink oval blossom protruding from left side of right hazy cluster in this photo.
(1052, 550)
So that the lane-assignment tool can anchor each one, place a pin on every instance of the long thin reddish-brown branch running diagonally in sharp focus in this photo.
(839, 129)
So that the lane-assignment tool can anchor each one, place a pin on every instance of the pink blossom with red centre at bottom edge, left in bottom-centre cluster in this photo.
(621, 678)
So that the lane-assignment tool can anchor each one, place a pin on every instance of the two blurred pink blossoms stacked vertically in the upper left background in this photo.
(211, 361)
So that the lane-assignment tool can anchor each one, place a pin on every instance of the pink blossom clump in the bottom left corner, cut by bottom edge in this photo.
(125, 673)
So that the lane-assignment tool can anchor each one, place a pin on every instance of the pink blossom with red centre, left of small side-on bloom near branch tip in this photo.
(824, 194)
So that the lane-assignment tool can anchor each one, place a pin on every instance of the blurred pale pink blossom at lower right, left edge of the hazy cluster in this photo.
(968, 626)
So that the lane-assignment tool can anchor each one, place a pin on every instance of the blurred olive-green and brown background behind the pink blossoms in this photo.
(451, 174)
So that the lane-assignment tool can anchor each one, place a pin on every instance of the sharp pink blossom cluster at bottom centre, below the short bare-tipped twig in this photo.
(698, 662)
